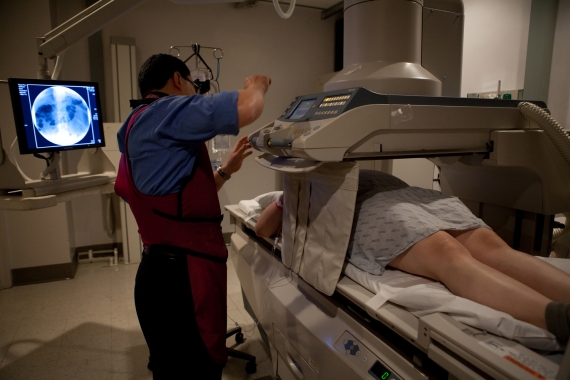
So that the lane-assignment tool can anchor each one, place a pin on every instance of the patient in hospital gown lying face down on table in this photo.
(429, 234)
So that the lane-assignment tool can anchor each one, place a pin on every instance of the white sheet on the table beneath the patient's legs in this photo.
(422, 296)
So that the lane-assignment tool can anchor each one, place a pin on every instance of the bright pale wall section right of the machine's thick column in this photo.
(495, 44)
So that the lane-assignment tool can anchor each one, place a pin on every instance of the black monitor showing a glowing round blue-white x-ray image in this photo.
(54, 115)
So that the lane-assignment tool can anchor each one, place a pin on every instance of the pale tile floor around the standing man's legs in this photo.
(87, 328)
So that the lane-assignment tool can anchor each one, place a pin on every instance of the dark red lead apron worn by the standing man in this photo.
(190, 220)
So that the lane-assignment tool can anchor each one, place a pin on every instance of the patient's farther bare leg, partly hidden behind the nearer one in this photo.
(487, 247)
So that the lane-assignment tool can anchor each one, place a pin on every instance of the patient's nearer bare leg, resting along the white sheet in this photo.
(443, 258)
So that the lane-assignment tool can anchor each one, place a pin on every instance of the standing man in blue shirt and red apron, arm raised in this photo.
(166, 177)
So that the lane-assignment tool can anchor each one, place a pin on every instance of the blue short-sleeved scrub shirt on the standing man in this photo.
(165, 140)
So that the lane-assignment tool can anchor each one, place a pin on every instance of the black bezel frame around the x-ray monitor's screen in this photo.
(18, 113)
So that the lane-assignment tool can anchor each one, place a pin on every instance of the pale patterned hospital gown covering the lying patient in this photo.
(391, 216)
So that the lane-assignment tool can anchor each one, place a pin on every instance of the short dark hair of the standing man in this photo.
(157, 70)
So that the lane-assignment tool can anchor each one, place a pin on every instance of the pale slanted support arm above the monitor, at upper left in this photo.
(80, 26)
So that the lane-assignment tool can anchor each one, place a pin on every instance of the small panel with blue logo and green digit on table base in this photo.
(363, 358)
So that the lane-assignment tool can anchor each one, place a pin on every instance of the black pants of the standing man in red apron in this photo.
(165, 309)
